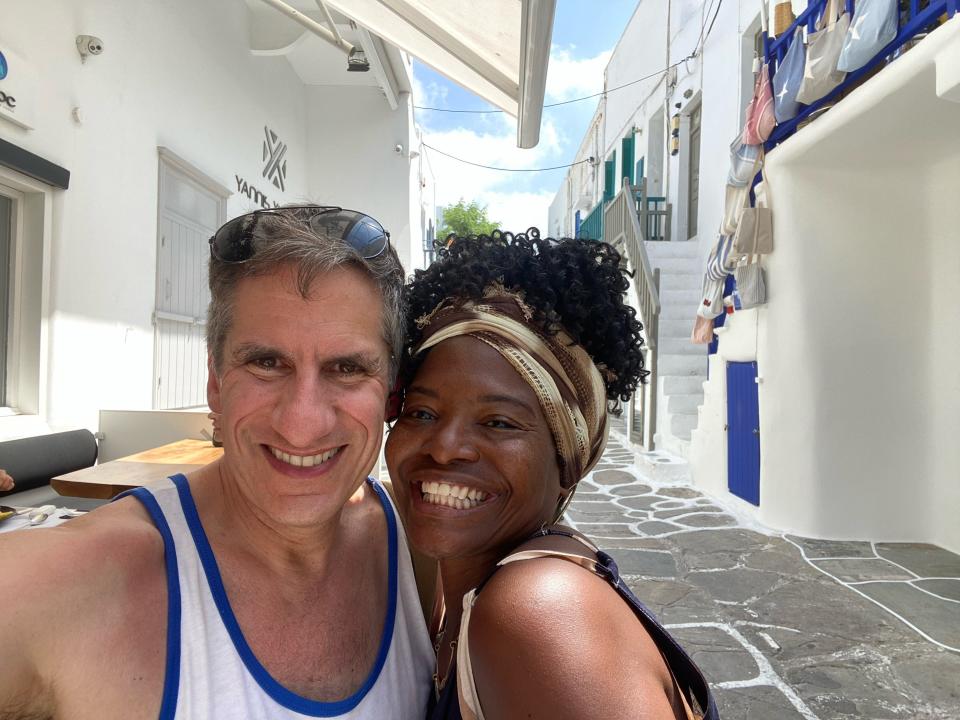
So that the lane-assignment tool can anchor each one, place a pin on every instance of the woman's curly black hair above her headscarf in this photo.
(574, 285)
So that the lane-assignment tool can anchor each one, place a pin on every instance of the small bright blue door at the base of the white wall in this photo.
(743, 432)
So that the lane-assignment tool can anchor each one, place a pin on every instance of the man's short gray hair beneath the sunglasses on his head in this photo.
(286, 238)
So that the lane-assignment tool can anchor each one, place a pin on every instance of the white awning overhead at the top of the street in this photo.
(497, 49)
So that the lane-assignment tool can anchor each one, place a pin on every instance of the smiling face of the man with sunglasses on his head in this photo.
(301, 391)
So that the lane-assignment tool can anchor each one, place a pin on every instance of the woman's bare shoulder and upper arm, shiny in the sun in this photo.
(549, 638)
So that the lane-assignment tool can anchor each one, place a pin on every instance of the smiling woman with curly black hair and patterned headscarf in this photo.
(516, 346)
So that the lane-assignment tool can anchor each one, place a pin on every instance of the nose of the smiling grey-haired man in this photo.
(305, 411)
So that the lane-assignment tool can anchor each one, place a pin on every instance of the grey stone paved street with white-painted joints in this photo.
(783, 627)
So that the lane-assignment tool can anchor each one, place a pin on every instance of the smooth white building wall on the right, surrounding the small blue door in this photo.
(856, 348)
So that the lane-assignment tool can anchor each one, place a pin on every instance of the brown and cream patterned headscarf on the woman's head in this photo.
(566, 381)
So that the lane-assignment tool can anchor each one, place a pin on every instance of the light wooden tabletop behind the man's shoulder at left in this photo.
(108, 479)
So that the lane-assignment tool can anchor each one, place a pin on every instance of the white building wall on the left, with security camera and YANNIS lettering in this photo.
(177, 74)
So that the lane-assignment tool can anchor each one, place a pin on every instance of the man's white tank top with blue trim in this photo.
(211, 671)
